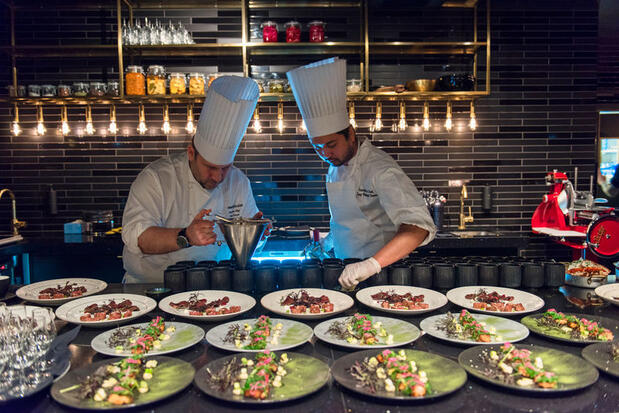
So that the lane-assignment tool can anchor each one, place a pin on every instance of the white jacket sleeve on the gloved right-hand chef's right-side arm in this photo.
(402, 202)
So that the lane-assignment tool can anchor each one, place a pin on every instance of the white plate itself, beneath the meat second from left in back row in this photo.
(73, 310)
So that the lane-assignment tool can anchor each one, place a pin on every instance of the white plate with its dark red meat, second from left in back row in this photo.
(105, 310)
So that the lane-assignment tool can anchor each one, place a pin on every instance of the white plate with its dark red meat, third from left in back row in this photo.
(207, 305)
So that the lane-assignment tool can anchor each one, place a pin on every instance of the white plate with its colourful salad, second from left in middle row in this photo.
(259, 334)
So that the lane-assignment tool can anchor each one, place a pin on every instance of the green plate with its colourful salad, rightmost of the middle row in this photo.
(572, 328)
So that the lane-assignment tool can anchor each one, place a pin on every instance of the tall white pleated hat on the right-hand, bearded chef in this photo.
(320, 91)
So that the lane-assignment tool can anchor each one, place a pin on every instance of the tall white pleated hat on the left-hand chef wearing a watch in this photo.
(227, 110)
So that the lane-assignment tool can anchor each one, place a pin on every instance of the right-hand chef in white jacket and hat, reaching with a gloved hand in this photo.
(376, 211)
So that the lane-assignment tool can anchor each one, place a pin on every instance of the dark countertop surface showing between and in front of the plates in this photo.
(475, 396)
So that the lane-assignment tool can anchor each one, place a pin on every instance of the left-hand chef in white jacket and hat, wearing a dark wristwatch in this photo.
(168, 213)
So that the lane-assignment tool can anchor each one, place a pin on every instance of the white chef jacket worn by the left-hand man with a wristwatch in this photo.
(166, 194)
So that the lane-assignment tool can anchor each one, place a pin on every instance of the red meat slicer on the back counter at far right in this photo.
(572, 218)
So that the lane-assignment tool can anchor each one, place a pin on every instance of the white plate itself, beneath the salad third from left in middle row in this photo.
(403, 333)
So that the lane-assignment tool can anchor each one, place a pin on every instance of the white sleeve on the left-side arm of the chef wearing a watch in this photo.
(144, 209)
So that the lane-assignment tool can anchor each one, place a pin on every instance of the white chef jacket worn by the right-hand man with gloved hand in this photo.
(385, 196)
